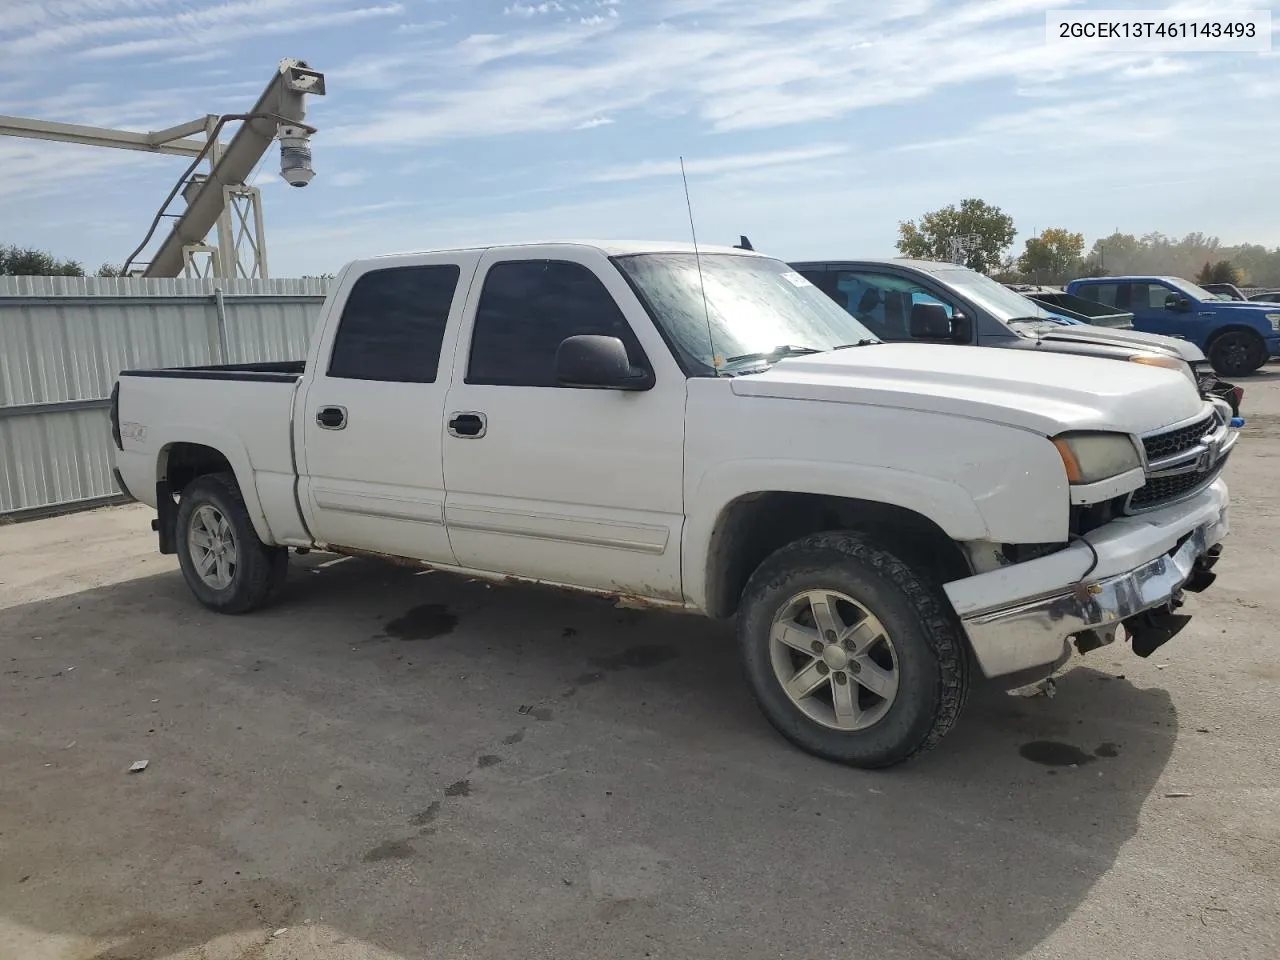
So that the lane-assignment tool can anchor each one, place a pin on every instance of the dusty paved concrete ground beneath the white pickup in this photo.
(395, 765)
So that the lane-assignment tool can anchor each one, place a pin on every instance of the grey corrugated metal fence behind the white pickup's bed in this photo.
(63, 340)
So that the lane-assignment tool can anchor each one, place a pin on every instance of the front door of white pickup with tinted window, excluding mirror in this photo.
(580, 487)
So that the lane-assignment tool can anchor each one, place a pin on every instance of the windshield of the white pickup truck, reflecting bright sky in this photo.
(756, 309)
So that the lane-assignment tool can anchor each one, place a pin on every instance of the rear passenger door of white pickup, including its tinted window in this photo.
(372, 418)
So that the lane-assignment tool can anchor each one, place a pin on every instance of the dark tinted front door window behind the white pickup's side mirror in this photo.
(527, 309)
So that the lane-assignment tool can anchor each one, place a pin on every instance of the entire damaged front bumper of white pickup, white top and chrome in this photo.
(1022, 618)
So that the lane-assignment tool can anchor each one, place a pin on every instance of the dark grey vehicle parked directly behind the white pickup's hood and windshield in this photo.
(980, 312)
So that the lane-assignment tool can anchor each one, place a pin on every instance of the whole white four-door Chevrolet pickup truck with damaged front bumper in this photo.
(708, 432)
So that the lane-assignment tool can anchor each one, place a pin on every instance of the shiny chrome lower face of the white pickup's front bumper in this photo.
(1035, 632)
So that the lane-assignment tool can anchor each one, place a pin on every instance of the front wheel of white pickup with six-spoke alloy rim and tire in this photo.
(852, 656)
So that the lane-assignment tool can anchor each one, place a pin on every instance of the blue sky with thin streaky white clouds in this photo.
(812, 126)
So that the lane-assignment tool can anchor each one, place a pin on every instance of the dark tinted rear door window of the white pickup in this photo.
(394, 324)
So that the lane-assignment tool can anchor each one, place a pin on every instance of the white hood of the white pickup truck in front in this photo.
(1044, 392)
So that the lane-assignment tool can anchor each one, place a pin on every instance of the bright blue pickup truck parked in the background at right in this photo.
(1237, 337)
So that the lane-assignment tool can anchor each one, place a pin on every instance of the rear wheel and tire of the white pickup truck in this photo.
(223, 561)
